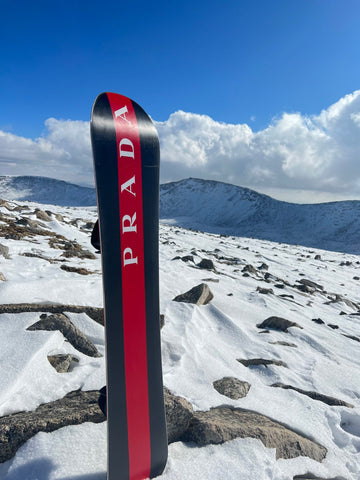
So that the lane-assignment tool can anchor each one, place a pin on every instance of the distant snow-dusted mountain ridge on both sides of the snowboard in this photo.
(219, 208)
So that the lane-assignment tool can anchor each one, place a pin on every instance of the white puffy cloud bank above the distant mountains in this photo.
(295, 153)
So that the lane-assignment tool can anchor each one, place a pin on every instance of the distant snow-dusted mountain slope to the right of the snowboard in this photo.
(222, 208)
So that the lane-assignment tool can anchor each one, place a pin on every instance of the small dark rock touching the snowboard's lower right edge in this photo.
(178, 415)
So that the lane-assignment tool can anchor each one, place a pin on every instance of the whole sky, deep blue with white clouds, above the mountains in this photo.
(259, 93)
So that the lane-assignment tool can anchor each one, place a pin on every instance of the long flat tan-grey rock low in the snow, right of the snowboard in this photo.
(221, 424)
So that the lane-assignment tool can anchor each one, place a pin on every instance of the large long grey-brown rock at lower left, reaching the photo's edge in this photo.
(75, 408)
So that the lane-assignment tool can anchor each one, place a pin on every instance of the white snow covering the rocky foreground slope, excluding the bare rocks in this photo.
(200, 344)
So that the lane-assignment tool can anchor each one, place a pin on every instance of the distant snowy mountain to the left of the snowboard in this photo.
(46, 190)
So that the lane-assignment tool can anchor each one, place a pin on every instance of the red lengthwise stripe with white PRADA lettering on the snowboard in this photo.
(133, 285)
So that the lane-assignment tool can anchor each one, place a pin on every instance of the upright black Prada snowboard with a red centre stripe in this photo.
(126, 156)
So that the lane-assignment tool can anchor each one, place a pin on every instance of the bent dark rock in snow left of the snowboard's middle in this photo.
(78, 340)
